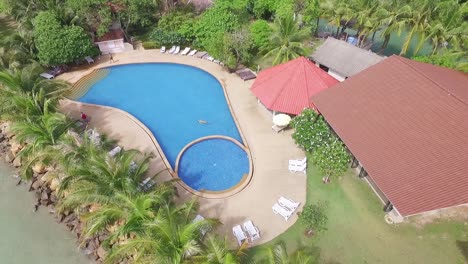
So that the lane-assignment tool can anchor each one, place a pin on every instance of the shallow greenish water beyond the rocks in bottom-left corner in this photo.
(28, 237)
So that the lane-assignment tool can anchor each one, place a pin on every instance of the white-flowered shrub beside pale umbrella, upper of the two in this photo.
(311, 130)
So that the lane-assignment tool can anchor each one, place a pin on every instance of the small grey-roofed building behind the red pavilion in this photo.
(342, 60)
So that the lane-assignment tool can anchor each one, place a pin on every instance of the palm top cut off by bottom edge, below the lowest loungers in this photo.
(277, 254)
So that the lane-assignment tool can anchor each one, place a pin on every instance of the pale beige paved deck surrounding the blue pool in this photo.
(270, 151)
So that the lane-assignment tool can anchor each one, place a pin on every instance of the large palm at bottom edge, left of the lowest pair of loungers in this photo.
(172, 237)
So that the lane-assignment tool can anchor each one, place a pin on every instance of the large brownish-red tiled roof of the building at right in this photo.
(407, 123)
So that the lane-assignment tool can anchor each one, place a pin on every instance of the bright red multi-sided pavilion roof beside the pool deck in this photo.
(287, 87)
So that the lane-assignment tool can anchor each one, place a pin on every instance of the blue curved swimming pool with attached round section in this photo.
(179, 104)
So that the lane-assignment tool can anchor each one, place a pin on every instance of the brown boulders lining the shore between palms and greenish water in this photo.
(44, 185)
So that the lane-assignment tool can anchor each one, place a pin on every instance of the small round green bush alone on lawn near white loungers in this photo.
(314, 216)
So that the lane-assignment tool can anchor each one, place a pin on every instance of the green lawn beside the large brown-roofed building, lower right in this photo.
(357, 232)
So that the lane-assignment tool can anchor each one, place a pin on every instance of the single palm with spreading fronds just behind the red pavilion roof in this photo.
(287, 40)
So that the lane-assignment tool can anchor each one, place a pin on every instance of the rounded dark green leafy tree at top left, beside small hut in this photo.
(57, 44)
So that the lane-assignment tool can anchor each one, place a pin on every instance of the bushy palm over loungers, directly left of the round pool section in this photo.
(97, 179)
